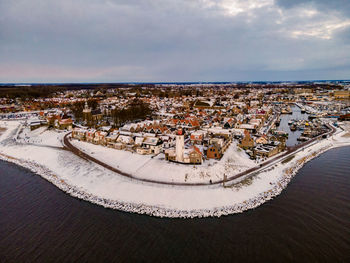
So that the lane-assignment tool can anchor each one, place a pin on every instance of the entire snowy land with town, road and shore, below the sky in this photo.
(172, 150)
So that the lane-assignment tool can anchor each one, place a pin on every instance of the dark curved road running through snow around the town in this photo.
(290, 150)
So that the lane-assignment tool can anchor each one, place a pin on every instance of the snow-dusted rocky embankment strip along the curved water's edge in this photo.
(259, 199)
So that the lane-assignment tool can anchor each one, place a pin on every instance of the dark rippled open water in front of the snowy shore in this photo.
(308, 222)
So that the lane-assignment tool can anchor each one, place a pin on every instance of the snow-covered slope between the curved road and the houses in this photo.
(143, 166)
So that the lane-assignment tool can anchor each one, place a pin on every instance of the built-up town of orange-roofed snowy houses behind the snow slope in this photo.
(188, 124)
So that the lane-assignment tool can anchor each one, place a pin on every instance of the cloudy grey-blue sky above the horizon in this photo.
(173, 40)
